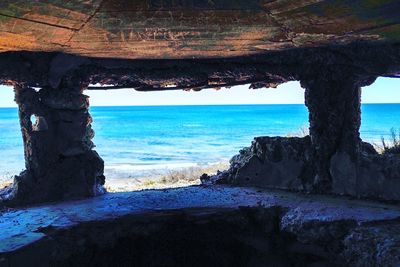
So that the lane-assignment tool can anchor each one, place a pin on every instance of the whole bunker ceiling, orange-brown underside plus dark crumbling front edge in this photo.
(193, 44)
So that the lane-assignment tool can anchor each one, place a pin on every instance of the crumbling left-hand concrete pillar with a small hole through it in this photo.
(57, 133)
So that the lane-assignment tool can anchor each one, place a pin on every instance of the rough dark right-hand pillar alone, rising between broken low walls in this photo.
(334, 104)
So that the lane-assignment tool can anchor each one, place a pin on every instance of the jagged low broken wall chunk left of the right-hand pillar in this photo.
(277, 162)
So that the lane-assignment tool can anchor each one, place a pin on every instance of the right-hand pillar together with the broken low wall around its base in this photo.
(333, 159)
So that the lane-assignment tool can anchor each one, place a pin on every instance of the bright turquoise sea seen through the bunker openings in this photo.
(137, 138)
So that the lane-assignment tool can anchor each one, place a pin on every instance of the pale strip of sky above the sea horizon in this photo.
(384, 90)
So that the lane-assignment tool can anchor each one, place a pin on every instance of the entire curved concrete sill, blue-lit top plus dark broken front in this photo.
(197, 226)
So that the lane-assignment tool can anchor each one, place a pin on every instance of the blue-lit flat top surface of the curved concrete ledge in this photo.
(22, 227)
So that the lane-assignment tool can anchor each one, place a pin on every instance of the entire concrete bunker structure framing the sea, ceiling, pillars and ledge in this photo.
(332, 47)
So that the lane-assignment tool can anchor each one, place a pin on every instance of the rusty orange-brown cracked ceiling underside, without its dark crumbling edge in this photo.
(191, 28)
